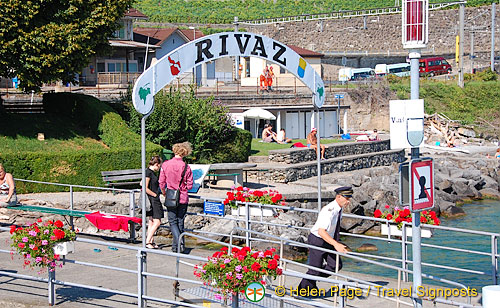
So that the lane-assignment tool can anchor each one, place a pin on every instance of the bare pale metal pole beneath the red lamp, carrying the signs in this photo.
(416, 245)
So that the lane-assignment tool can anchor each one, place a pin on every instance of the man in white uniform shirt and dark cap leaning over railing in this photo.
(325, 234)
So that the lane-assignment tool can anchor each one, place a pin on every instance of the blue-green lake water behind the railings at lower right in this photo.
(481, 215)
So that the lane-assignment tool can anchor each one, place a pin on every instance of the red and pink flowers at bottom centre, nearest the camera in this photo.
(231, 272)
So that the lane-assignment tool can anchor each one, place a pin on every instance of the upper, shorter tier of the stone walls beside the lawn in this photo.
(300, 155)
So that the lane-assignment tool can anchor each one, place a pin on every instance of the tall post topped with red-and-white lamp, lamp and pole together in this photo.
(415, 33)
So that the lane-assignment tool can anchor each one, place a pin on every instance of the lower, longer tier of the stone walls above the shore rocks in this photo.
(309, 169)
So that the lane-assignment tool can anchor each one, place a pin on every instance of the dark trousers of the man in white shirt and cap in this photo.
(316, 259)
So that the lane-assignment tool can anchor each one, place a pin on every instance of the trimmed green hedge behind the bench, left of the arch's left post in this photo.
(81, 167)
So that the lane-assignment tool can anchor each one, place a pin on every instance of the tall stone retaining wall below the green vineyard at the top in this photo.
(383, 33)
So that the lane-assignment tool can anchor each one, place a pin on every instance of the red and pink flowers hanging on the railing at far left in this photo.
(35, 242)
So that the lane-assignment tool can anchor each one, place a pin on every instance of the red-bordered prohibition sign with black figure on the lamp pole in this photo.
(421, 184)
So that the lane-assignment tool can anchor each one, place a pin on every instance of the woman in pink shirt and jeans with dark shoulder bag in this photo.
(170, 176)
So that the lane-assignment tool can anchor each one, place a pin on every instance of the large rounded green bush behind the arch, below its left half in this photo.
(206, 124)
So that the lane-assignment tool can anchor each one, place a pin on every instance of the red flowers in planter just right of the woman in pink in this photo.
(243, 194)
